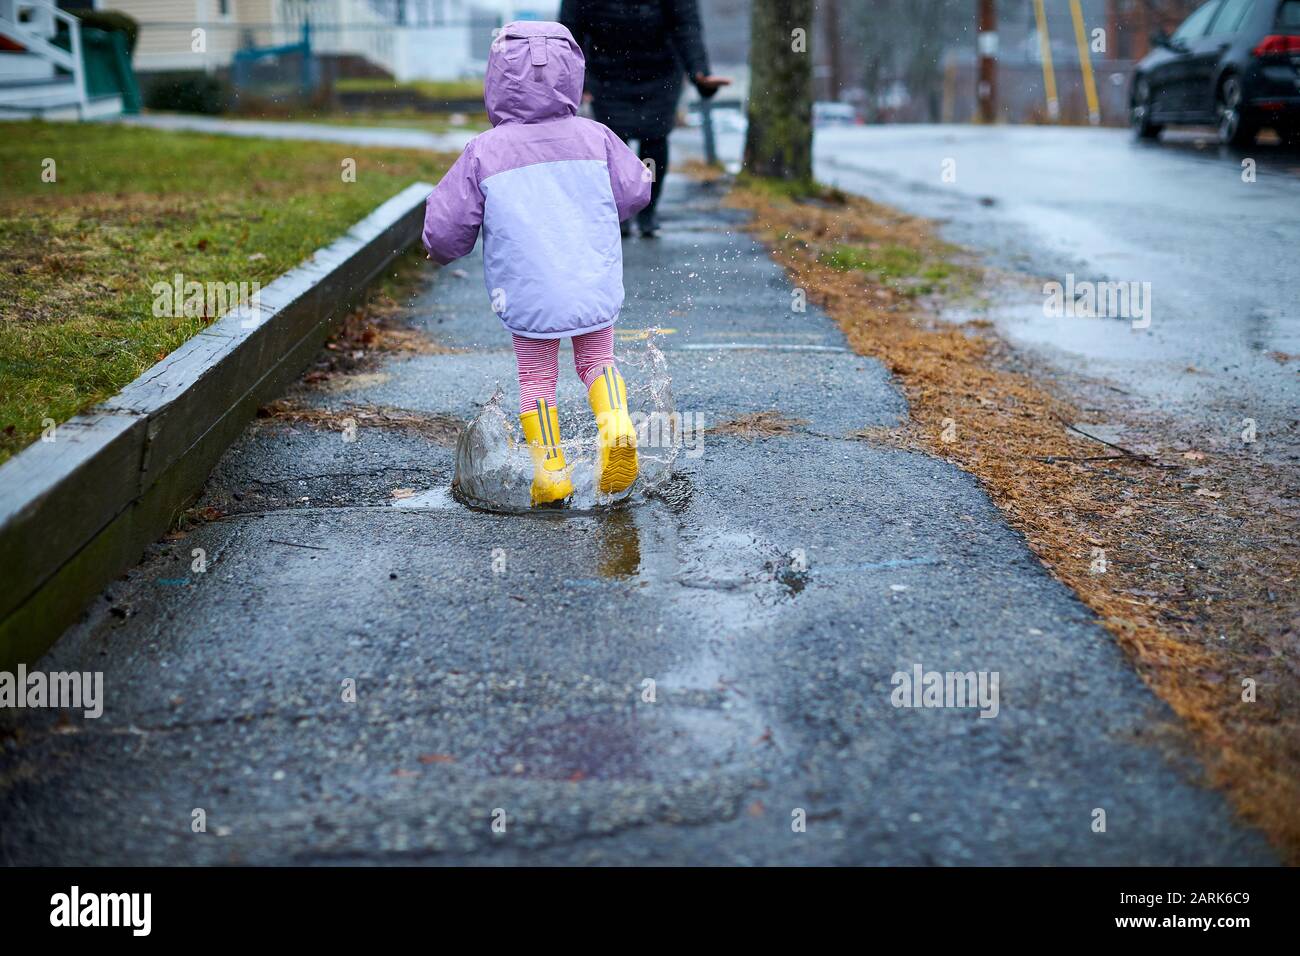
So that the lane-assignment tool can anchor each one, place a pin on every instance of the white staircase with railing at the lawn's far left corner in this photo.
(46, 81)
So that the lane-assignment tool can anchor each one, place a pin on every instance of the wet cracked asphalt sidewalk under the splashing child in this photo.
(501, 664)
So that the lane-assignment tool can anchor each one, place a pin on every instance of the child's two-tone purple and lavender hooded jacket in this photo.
(549, 189)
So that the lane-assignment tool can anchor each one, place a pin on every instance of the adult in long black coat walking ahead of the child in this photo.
(638, 53)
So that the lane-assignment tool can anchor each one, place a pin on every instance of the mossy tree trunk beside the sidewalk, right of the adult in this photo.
(779, 142)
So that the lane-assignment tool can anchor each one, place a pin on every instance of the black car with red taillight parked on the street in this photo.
(1234, 64)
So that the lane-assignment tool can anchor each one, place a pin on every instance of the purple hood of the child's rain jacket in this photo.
(535, 73)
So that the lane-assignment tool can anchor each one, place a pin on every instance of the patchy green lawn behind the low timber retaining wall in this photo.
(132, 207)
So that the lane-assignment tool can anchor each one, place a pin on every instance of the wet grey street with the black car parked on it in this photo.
(1221, 254)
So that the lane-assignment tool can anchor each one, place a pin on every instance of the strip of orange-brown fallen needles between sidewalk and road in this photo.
(1202, 553)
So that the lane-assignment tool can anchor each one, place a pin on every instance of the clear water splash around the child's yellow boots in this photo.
(495, 470)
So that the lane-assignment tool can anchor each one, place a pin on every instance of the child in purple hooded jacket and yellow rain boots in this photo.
(549, 189)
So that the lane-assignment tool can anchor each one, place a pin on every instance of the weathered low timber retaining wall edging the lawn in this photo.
(79, 512)
